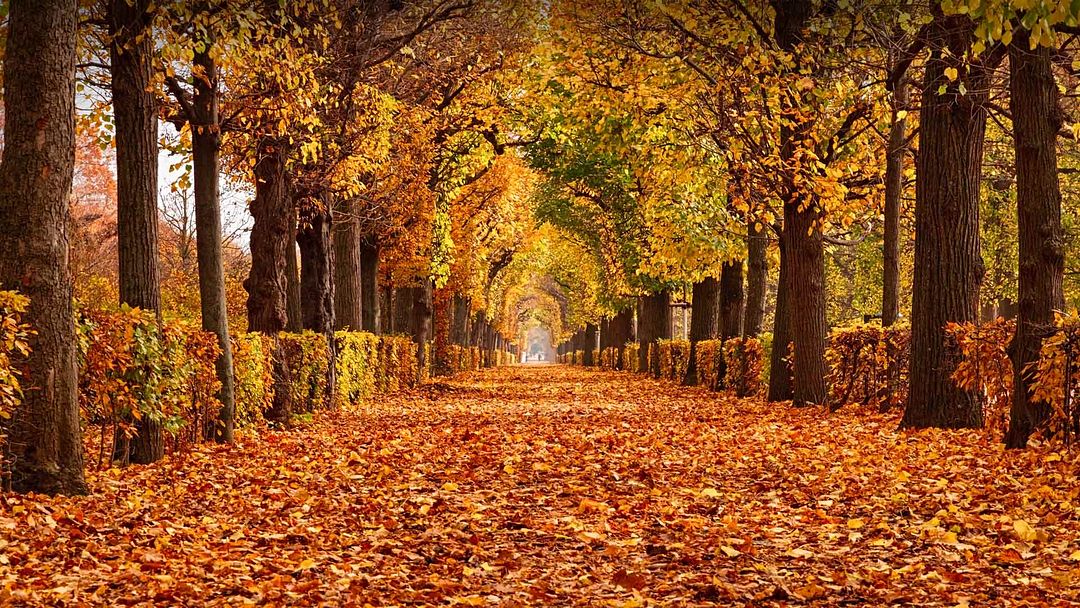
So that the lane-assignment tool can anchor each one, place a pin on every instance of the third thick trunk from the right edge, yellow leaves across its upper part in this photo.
(803, 232)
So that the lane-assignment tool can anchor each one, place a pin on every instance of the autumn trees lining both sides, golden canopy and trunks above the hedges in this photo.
(464, 172)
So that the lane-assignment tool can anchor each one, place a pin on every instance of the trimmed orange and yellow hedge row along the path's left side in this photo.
(134, 367)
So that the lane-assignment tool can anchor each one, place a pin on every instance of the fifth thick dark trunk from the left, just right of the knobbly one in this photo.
(317, 282)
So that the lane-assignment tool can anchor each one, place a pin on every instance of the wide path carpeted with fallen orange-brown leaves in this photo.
(551, 485)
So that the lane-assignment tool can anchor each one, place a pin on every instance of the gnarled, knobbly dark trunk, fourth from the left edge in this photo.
(266, 285)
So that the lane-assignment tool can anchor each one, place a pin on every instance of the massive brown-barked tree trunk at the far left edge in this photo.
(45, 441)
